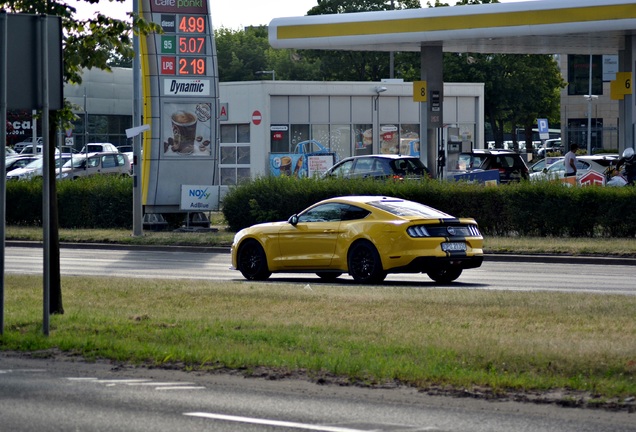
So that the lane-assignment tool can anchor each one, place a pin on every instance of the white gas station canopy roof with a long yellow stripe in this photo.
(532, 27)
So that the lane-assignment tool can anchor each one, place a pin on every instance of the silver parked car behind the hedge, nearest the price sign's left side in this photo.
(83, 165)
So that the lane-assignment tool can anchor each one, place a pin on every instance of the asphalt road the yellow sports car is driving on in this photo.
(547, 273)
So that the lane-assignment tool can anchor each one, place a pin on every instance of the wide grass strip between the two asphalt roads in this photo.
(419, 337)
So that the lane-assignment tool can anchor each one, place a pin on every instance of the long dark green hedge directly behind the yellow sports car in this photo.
(526, 208)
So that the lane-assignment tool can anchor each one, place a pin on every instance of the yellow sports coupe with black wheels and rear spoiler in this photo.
(365, 236)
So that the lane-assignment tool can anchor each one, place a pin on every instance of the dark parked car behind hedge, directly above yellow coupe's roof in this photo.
(382, 166)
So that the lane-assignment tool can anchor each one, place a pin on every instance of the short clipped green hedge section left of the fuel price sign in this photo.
(92, 202)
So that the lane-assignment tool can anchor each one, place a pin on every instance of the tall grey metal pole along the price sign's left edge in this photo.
(137, 201)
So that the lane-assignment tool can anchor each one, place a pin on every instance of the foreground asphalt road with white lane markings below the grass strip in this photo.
(67, 395)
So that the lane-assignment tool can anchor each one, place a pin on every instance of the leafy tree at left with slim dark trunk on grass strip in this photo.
(87, 44)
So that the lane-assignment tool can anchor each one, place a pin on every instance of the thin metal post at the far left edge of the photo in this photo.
(3, 143)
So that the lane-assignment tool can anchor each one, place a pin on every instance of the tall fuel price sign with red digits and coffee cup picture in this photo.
(180, 94)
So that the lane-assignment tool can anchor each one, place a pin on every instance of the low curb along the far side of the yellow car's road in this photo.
(493, 257)
